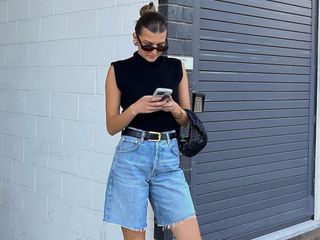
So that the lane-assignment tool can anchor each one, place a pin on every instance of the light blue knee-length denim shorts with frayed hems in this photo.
(143, 170)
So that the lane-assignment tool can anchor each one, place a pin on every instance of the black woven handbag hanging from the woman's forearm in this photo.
(197, 138)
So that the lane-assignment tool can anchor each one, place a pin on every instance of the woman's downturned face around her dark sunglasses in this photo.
(149, 38)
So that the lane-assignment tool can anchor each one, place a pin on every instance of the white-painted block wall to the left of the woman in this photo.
(55, 153)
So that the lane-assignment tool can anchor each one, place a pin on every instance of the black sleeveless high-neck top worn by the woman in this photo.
(136, 77)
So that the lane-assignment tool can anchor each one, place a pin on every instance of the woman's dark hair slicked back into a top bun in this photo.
(151, 20)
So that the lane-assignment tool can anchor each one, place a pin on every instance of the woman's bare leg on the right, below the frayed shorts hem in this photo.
(188, 230)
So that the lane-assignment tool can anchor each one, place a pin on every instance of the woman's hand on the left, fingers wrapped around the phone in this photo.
(147, 104)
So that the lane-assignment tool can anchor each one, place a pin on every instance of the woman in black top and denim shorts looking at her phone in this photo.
(146, 161)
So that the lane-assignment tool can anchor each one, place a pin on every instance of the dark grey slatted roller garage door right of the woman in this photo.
(255, 61)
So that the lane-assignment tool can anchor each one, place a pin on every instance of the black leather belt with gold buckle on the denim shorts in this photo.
(148, 135)
